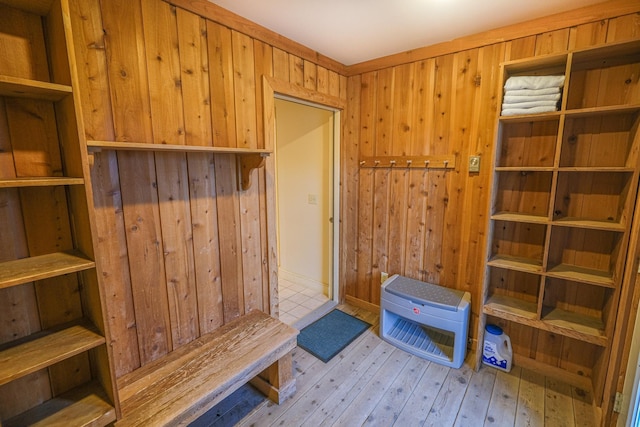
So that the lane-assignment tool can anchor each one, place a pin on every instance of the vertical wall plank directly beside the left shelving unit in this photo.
(111, 259)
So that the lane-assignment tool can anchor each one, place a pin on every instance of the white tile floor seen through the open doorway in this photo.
(297, 301)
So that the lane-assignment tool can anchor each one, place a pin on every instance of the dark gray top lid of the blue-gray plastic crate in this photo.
(425, 293)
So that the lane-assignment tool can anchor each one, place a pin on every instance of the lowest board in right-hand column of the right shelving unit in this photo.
(579, 326)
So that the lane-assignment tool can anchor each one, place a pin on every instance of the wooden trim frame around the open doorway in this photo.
(273, 88)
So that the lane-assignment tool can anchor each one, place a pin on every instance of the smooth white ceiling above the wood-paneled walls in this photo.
(353, 31)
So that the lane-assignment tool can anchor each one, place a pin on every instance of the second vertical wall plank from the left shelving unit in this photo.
(132, 122)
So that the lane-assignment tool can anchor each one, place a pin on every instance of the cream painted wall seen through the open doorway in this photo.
(304, 191)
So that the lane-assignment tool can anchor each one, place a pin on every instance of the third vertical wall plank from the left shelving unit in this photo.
(163, 64)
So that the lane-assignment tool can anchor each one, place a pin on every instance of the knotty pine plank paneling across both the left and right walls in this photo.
(181, 250)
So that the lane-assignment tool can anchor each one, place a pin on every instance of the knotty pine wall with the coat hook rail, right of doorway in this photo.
(431, 225)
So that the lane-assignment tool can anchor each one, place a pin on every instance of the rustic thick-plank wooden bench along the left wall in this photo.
(183, 385)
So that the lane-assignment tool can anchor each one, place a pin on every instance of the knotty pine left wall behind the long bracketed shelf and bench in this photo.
(180, 249)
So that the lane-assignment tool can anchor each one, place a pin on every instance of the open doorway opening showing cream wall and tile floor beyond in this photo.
(306, 209)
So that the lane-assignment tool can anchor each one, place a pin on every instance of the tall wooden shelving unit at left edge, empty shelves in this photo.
(54, 364)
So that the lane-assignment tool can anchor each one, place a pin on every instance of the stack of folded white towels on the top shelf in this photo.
(531, 94)
